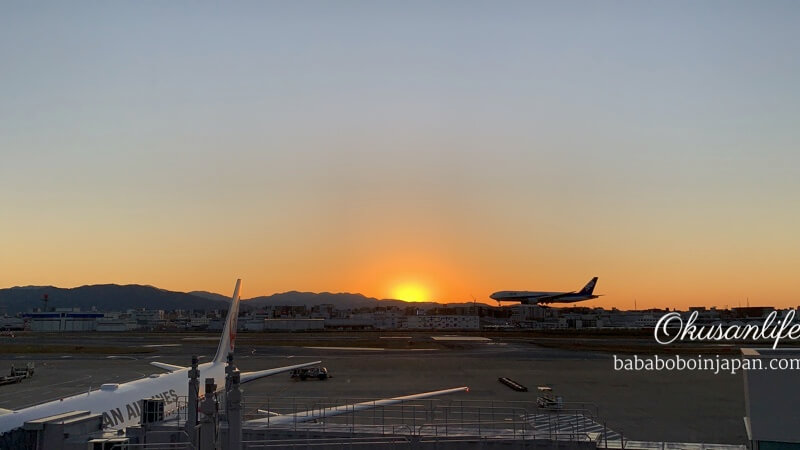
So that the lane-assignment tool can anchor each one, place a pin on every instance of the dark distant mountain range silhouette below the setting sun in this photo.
(114, 297)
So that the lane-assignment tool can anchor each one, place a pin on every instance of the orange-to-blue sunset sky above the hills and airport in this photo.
(445, 149)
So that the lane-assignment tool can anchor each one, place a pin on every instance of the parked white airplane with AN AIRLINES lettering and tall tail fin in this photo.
(120, 404)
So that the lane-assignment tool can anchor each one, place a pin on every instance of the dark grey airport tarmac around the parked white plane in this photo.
(654, 406)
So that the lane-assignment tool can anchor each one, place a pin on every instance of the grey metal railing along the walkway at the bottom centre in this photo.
(431, 417)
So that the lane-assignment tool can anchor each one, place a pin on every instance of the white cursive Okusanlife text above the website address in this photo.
(671, 327)
